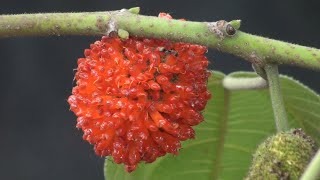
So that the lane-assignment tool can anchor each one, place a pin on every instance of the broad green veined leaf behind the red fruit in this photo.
(236, 122)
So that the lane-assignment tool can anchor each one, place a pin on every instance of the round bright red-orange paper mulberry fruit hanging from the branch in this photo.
(136, 99)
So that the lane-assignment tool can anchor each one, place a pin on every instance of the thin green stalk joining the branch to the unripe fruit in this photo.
(279, 110)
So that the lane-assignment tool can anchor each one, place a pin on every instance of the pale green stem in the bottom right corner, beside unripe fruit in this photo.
(313, 169)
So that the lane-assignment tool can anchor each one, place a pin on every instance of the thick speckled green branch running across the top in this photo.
(218, 35)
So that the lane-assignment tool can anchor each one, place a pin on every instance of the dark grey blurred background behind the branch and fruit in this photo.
(38, 138)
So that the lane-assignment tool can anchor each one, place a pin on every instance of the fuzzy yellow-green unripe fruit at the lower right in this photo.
(283, 156)
